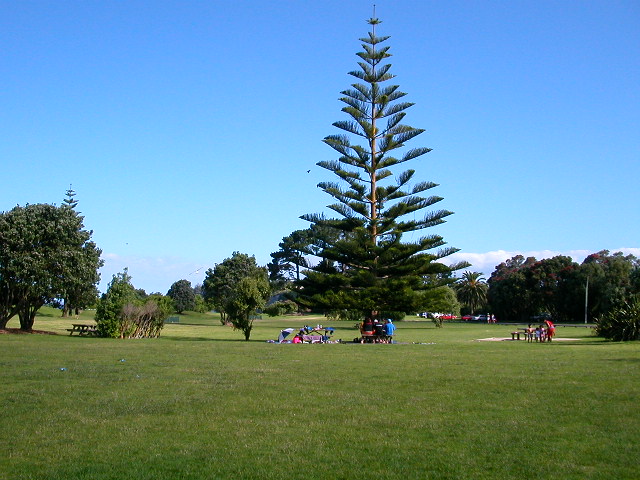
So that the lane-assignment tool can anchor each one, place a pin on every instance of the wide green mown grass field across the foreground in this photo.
(201, 403)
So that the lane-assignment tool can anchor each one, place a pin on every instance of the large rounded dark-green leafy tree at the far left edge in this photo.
(45, 253)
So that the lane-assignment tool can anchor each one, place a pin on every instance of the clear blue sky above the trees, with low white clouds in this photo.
(187, 128)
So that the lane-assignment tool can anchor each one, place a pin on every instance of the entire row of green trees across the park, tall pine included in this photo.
(355, 263)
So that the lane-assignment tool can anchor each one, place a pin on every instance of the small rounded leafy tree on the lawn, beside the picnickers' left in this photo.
(237, 287)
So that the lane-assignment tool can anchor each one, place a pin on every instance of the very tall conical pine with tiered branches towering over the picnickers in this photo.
(368, 267)
